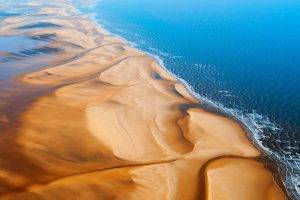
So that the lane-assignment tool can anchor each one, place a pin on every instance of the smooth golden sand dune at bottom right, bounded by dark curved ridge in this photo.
(245, 176)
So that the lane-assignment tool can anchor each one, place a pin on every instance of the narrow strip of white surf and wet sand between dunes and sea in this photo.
(267, 157)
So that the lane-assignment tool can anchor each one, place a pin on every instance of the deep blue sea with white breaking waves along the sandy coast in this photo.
(242, 57)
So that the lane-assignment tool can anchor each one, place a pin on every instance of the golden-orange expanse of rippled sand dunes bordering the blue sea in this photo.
(117, 126)
